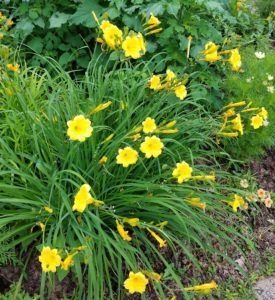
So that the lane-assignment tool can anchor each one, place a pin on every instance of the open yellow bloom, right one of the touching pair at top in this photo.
(134, 45)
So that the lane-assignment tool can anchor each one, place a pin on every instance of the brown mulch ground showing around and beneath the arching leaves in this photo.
(264, 236)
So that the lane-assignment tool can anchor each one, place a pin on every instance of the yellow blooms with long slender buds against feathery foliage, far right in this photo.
(233, 120)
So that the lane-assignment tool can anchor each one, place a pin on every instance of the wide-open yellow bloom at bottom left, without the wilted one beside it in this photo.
(49, 259)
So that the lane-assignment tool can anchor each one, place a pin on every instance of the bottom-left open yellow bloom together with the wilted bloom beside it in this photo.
(50, 259)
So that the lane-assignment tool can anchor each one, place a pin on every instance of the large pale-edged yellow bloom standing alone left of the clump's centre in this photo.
(79, 128)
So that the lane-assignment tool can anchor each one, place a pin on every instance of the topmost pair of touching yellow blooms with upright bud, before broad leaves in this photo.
(132, 44)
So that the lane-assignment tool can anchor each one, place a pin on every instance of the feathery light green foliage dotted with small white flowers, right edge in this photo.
(257, 85)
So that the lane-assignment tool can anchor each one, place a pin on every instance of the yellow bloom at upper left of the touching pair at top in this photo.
(111, 34)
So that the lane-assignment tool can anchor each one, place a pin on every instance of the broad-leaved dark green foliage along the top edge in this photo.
(66, 30)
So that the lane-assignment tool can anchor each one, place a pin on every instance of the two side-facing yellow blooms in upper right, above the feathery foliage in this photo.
(211, 54)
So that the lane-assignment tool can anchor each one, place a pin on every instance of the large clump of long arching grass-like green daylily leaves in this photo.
(40, 166)
